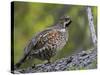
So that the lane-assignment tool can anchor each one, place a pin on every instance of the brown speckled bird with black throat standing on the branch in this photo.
(47, 43)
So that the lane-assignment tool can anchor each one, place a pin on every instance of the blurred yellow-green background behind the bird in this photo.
(31, 18)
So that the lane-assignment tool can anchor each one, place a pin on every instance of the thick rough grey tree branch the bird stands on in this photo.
(82, 60)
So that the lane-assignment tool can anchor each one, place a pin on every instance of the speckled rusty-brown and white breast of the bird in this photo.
(57, 40)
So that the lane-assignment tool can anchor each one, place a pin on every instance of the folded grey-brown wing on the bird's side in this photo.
(37, 41)
